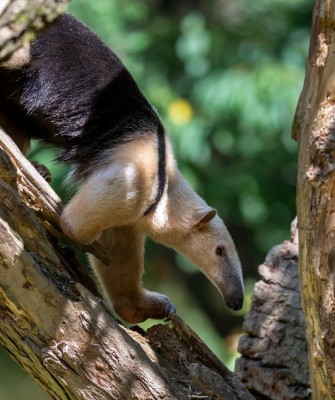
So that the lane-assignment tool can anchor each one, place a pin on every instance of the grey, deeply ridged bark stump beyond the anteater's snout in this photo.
(274, 362)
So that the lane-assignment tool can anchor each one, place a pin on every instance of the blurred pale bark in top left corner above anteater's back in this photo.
(21, 20)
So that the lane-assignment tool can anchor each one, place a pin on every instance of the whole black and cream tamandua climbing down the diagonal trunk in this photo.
(69, 89)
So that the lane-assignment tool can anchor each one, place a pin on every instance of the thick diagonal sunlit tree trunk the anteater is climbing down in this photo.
(55, 325)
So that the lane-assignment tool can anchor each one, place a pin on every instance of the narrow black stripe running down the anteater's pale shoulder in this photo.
(161, 174)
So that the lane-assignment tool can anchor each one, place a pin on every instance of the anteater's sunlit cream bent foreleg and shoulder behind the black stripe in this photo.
(118, 193)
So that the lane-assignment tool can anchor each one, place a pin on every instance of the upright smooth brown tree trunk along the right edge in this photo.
(314, 130)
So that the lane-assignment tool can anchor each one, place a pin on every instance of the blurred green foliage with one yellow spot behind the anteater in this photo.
(225, 76)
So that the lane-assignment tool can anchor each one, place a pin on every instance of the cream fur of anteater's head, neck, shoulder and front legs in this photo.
(110, 207)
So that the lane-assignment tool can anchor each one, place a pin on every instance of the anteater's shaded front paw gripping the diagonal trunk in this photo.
(146, 305)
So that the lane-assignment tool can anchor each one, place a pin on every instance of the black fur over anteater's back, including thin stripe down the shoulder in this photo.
(75, 93)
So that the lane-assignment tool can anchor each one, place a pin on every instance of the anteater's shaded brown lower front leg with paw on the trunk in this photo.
(122, 278)
